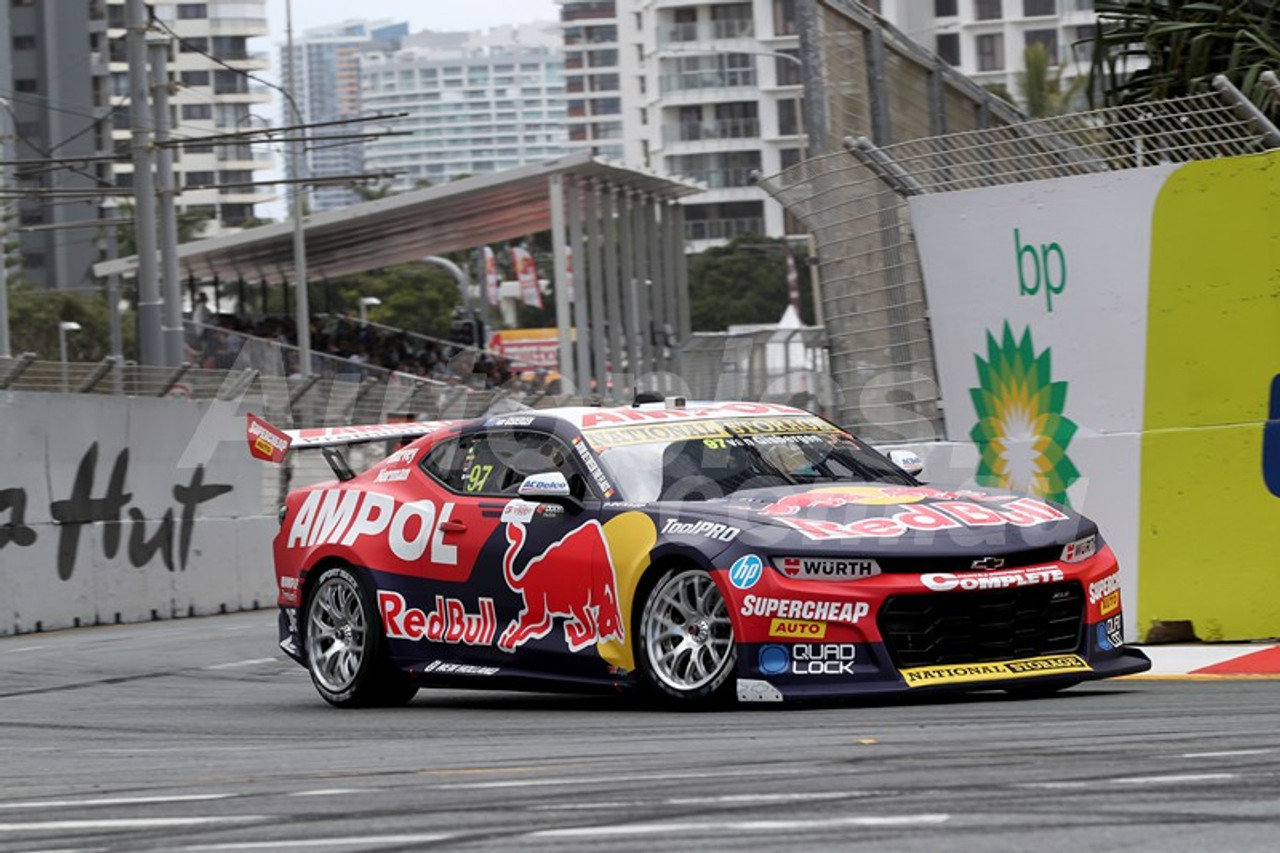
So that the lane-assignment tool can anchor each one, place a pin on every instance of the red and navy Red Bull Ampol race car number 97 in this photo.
(697, 553)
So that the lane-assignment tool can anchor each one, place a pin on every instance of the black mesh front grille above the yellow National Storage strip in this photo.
(984, 626)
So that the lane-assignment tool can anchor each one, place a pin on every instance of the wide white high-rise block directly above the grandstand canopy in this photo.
(473, 103)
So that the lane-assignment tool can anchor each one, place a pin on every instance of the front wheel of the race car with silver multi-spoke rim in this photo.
(687, 655)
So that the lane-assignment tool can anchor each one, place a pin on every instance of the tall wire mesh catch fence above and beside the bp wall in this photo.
(890, 121)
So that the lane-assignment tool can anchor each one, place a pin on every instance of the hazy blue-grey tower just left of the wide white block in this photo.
(327, 90)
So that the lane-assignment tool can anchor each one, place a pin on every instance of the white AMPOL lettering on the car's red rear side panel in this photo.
(337, 517)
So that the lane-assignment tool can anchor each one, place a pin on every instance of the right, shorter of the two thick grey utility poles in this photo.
(158, 48)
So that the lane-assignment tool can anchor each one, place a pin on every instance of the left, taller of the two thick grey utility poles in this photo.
(150, 344)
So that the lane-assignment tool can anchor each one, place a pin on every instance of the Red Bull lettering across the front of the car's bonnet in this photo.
(1023, 513)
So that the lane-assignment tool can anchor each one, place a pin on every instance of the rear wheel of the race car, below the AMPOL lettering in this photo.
(348, 654)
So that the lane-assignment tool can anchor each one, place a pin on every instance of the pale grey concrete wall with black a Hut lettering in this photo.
(100, 523)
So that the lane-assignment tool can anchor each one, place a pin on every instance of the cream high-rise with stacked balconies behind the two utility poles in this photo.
(212, 97)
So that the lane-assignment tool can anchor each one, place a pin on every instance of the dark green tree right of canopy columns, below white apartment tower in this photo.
(743, 282)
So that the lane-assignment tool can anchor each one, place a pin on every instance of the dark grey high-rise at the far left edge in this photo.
(56, 104)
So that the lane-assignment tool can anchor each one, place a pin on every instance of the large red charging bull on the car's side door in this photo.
(569, 581)
